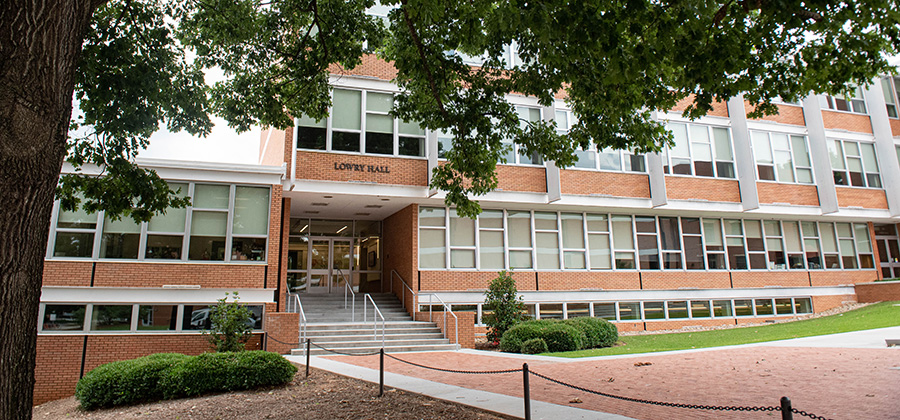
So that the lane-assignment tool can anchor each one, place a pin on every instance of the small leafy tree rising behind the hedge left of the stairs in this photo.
(230, 324)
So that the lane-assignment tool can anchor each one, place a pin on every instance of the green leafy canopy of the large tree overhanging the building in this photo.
(615, 62)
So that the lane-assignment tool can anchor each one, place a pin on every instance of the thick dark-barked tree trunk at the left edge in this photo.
(40, 42)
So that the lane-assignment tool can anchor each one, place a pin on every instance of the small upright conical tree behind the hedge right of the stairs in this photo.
(506, 305)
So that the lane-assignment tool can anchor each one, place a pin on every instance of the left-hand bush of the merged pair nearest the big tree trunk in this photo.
(126, 381)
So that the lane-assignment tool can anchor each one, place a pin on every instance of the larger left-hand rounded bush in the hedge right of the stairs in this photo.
(558, 336)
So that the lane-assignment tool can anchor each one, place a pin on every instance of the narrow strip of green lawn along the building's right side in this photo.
(880, 315)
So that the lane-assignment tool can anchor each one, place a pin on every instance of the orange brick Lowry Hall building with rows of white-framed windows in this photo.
(740, 221)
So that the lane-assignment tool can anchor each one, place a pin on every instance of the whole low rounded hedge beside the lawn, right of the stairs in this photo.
(569, 335)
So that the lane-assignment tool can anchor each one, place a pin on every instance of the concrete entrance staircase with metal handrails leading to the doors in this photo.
(330, 326)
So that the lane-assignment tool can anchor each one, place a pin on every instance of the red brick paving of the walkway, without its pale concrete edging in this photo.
(835, 383)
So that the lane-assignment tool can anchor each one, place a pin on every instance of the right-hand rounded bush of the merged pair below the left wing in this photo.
(215, 372)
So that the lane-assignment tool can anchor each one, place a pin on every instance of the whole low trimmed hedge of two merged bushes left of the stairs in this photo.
(169, 375)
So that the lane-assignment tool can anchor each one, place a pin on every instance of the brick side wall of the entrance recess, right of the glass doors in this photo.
(401, 248)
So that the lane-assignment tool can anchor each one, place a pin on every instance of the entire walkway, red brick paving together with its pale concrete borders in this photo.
(841, 376)
